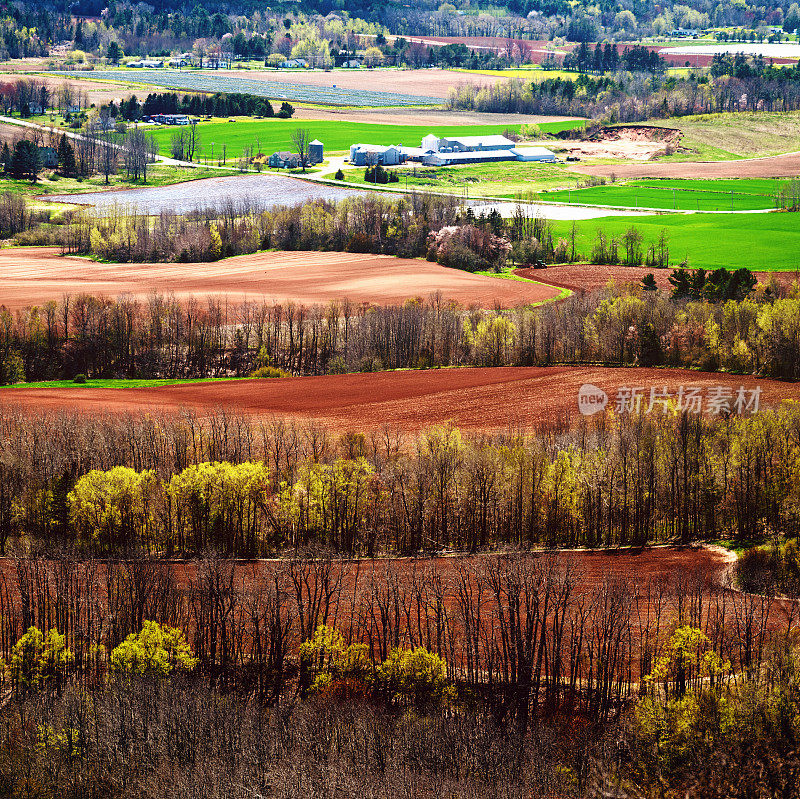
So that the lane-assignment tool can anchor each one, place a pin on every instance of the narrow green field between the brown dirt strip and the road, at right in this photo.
(685, 195)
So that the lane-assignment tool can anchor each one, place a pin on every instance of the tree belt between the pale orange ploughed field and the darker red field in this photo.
(160, 337)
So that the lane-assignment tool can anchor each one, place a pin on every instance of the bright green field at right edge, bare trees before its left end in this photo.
(761, 242)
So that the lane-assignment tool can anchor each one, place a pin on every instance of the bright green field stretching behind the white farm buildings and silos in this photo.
(268, 135)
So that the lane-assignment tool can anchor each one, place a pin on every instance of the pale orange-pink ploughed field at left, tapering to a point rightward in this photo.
(33, 275)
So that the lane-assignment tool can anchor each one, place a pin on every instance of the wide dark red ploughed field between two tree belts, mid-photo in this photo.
(474, 399)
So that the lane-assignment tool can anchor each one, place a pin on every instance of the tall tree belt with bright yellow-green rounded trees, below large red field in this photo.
(186, 485)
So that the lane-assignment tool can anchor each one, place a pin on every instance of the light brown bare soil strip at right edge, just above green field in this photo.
(778, 166)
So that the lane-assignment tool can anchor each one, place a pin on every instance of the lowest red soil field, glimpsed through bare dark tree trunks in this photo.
(653, 579)
